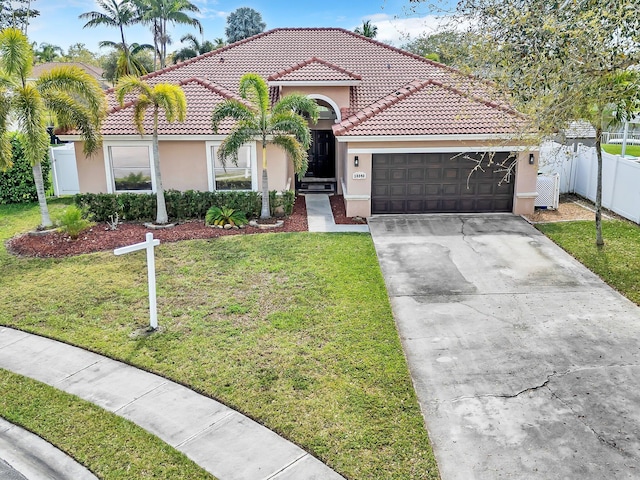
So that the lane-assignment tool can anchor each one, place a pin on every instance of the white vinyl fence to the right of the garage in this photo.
(578, 174)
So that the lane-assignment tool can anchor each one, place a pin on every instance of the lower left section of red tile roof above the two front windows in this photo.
(202, 97)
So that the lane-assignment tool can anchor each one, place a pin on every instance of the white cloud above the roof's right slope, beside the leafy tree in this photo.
(398, 31)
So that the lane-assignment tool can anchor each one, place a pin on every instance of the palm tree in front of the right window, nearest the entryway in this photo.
(282, 125)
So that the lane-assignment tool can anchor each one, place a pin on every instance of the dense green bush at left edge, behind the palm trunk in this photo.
(16, 183)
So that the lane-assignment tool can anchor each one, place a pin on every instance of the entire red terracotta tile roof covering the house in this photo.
(326, 54)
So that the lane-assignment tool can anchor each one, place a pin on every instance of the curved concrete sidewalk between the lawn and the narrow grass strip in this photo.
(219, 439)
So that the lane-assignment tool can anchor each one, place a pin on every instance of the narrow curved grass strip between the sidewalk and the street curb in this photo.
(110, 446)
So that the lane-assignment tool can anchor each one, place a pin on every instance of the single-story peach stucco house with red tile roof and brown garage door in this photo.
(397, 134)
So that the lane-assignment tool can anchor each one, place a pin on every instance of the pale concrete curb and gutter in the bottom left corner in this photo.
(25, 456)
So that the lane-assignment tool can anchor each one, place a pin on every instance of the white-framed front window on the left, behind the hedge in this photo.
(131, 168)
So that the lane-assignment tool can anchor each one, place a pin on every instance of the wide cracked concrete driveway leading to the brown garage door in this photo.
(526, 365)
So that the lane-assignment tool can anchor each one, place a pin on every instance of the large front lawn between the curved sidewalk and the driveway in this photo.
(294, 330)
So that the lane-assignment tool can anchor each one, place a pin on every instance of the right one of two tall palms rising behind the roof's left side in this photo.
(160, 14)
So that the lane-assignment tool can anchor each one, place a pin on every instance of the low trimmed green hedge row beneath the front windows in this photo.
(188, 205)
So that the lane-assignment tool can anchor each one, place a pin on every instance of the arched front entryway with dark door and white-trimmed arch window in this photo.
(321, 174)
